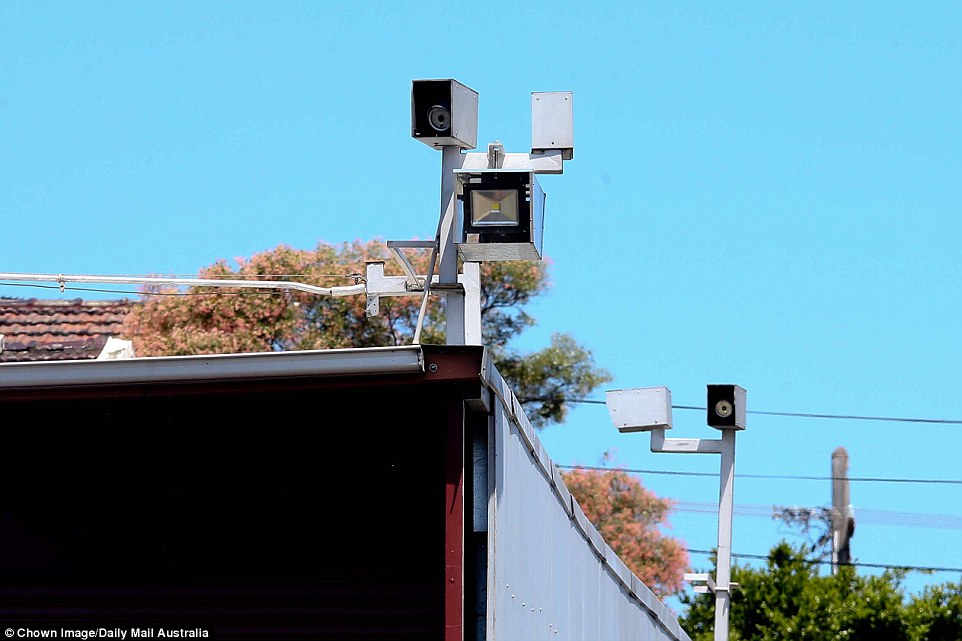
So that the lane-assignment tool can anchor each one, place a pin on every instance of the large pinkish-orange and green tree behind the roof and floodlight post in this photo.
(209, 321)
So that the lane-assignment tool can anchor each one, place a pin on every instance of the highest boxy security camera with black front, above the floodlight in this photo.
(444, 113)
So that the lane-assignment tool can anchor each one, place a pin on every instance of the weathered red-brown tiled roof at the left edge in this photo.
(58, 330)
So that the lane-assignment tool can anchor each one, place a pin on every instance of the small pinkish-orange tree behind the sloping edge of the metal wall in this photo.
(628, 517)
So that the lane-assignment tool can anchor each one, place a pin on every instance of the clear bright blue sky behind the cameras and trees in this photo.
(766, 194)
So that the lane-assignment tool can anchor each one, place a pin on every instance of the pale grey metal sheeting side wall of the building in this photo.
(550, 574)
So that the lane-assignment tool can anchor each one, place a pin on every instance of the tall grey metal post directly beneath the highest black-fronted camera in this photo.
(448, 264)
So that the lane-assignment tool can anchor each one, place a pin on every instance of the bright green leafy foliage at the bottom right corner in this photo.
(788, 599)
